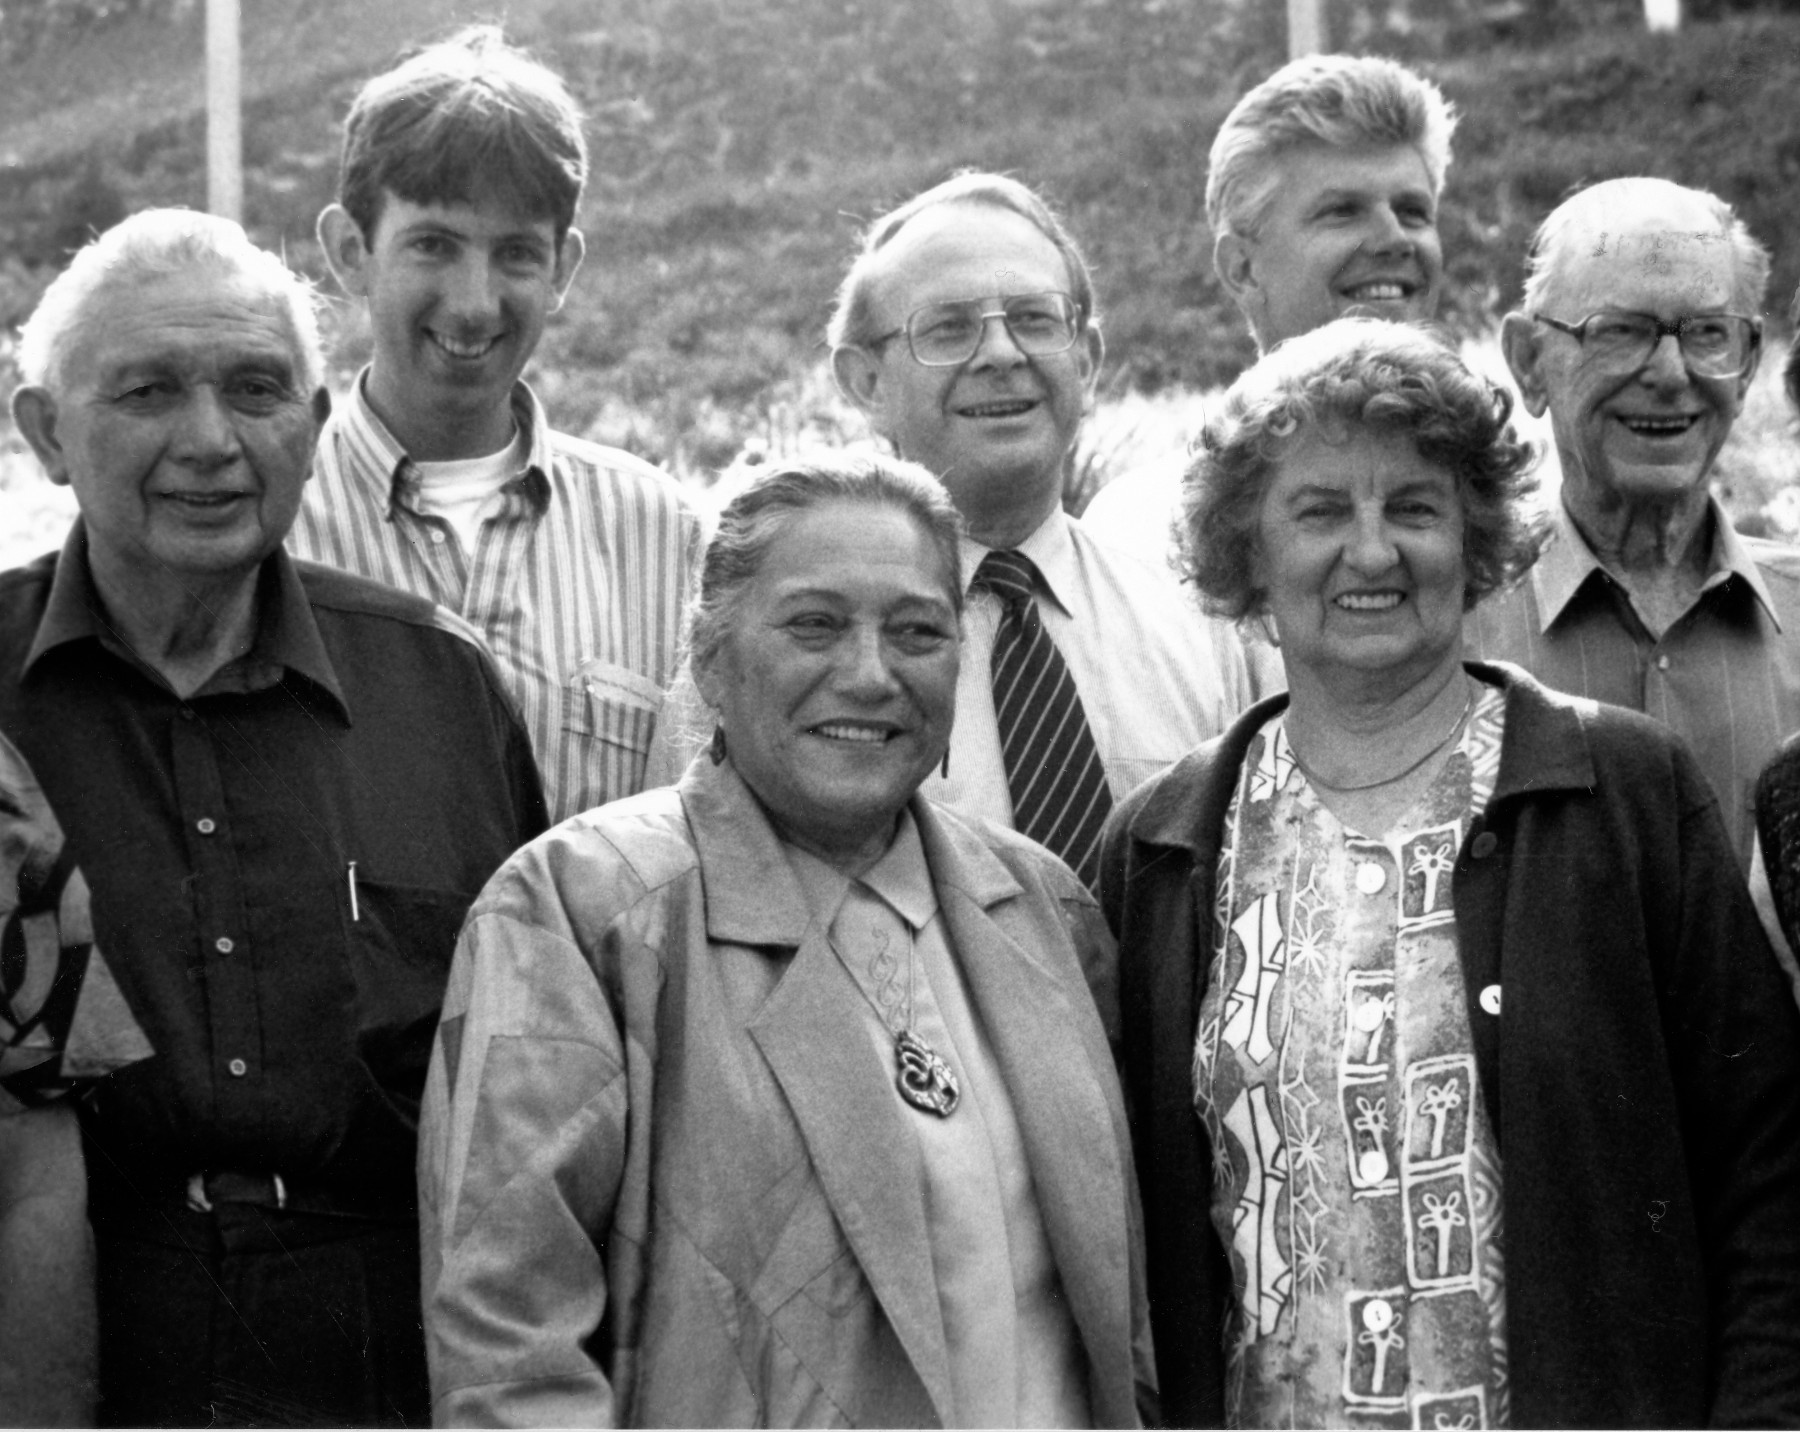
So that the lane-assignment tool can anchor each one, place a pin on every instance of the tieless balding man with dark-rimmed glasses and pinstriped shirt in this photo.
(1641, 334)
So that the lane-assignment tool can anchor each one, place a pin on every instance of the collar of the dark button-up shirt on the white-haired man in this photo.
(287, 638)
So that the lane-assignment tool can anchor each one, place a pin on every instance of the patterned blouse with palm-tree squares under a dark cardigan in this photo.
(1356, 1172)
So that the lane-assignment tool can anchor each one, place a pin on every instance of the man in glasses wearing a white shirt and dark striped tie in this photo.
(967, 332)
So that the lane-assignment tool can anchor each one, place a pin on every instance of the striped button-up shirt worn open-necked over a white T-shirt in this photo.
(579, 582)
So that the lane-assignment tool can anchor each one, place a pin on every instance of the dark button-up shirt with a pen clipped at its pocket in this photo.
(278, 864)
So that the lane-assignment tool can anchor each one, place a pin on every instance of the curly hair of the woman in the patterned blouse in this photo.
(1356, 375)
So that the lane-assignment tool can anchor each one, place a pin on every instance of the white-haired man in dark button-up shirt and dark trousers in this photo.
(283, 785)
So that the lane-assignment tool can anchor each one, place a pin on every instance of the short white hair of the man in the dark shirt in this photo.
(159, 244)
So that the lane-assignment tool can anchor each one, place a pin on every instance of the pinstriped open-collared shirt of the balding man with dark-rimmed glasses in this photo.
(1725, 677)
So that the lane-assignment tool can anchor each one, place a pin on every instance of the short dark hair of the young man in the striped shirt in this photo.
(463, 120)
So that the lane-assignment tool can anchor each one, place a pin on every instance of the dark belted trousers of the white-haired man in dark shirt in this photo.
(258, 1318)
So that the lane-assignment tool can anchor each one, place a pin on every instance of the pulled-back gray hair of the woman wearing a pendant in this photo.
(755, 515)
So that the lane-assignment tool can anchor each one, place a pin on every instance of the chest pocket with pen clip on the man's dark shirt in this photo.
(399, 944)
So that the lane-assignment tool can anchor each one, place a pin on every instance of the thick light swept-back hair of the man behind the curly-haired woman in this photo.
(1338, 100)
